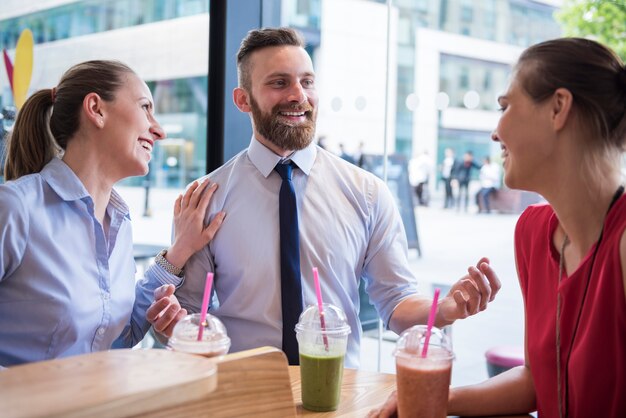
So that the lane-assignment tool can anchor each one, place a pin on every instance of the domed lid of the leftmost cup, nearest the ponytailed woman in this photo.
(185, 335)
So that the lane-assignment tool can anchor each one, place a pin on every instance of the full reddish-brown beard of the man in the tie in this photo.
(279, 131)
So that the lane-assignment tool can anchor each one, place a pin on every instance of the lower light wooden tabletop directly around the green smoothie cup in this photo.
(361, 391)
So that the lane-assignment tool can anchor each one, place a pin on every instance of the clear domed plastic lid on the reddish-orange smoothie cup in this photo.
(411, 342)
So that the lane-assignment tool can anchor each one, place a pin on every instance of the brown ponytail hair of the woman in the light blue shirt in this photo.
(51, 117)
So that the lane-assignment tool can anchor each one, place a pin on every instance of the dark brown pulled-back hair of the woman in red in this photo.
(594, 75)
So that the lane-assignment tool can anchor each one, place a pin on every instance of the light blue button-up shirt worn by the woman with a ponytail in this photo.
(65, 287)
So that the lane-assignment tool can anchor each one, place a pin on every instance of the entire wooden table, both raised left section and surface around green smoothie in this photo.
(163, 384)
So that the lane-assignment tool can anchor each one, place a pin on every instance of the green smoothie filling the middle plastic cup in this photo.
(321, 382)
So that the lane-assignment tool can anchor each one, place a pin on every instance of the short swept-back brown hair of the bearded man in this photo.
(262, 38)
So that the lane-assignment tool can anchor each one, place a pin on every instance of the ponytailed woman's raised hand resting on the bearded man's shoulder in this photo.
(191, 234)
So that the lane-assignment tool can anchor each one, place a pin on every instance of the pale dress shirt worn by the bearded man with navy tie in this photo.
(350, 228)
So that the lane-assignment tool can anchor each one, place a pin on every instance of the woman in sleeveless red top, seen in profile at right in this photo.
(562, 132)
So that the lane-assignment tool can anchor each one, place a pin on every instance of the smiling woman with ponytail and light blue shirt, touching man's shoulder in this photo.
(67, 273)
